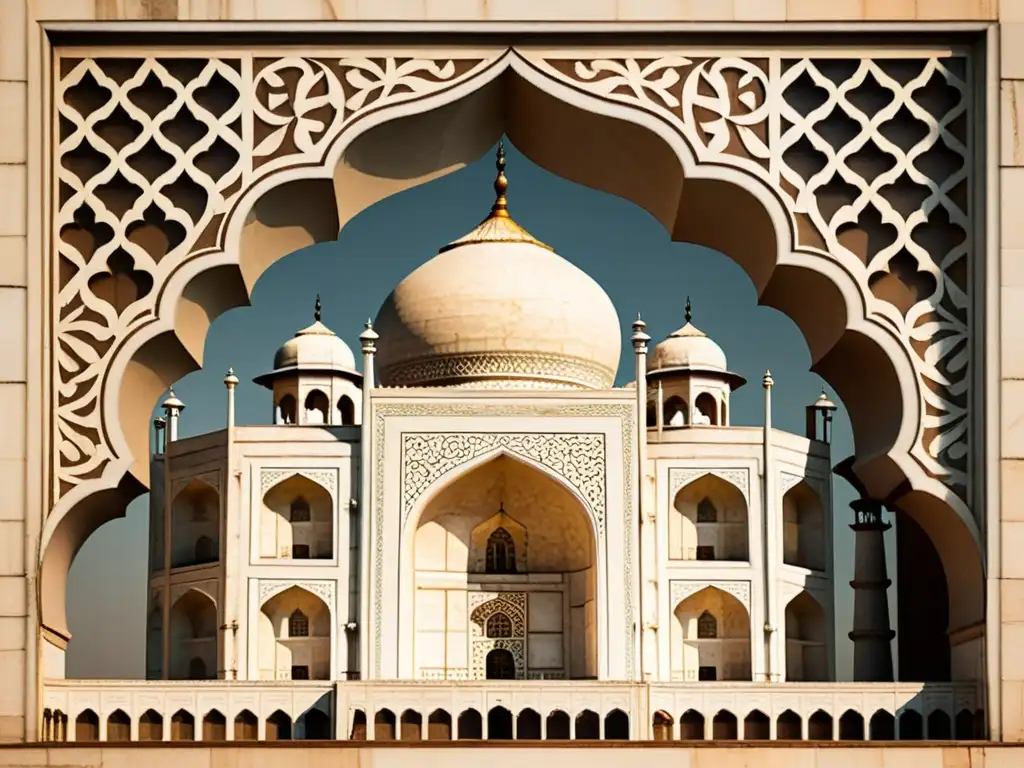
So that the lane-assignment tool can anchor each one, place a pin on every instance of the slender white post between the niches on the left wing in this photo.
(229, 546)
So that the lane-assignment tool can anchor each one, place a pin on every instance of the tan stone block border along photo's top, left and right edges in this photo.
(26, 296)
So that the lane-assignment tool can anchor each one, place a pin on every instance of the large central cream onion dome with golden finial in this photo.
(498, 309)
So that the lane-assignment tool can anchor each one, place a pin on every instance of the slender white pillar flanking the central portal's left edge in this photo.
(368, 340)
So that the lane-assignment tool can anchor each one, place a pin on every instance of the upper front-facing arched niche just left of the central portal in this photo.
(297, 521)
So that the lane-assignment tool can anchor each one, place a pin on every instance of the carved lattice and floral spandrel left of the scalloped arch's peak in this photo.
(152, 158)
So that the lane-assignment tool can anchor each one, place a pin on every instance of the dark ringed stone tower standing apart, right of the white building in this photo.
(872, 635)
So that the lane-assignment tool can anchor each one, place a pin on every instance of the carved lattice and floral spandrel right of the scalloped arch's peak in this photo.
(872, 159)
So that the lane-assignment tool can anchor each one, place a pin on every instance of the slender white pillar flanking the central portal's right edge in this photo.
(649, 566)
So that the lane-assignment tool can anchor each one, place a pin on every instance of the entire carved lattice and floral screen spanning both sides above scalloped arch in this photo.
(152, 162)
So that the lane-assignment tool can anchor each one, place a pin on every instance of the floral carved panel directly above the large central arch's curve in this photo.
(579, 459)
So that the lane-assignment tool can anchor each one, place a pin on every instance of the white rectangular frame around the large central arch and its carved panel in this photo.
(385, 632)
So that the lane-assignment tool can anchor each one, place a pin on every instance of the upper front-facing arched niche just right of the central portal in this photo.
(709, 522)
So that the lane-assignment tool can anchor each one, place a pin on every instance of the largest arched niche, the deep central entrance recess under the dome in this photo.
(451, 539)
